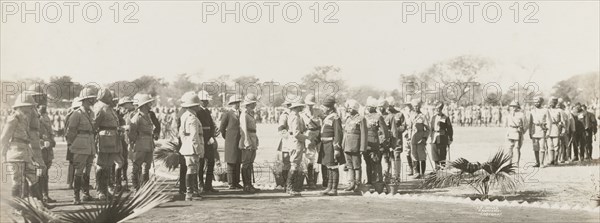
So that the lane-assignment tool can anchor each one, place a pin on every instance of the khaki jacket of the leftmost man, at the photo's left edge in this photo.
(14, 136)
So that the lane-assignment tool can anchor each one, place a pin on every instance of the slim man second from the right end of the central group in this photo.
(417, 134)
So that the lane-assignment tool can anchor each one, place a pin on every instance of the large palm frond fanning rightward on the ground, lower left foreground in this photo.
(122, 208)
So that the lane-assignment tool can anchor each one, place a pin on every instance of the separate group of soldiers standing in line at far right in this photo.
(559, 133)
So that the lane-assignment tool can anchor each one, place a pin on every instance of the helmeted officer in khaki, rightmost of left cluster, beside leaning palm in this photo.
(140, 138)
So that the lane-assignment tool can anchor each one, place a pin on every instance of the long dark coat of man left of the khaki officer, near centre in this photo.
(230, 131)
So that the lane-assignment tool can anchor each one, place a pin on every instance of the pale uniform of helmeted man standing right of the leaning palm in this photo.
(192, 142)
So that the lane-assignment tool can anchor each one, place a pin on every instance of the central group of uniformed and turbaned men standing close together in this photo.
(320, 137)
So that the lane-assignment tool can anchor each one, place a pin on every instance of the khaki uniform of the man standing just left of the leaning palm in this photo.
(142, 145)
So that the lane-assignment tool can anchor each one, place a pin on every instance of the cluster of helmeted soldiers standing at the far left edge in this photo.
(27, 145)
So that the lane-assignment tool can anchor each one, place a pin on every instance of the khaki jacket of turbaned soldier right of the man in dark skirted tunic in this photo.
(355, 134)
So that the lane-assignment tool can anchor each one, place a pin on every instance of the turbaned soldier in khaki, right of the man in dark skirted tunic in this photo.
(354, 143)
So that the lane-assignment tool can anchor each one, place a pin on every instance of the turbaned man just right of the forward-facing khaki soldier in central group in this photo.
(377, 139)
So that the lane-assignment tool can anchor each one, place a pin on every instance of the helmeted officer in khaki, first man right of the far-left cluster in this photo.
(81, 142)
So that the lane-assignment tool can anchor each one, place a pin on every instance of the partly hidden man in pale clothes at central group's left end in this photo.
(284, 142)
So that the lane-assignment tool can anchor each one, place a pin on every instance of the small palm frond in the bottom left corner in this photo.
(31, 209)
